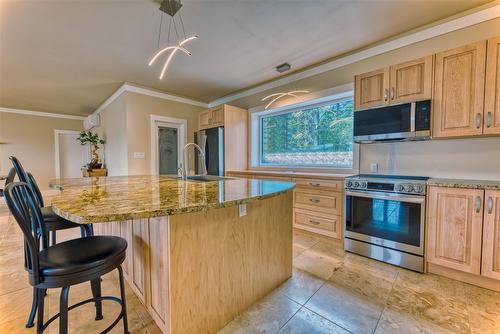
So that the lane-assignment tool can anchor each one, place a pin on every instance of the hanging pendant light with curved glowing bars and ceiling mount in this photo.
(171, 7)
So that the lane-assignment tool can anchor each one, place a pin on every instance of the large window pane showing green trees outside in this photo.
(317, 136)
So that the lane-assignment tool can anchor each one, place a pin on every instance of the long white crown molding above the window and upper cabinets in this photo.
(427, 33)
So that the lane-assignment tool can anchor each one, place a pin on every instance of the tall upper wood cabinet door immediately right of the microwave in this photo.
(459, 91)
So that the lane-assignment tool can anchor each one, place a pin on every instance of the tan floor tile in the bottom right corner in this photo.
(484, 310)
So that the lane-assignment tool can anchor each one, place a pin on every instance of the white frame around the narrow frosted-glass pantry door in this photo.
(155, 121)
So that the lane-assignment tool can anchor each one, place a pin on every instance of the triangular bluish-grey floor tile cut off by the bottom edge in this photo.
(308, 322)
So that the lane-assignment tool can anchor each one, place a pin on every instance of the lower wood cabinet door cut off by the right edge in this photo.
(491, 235)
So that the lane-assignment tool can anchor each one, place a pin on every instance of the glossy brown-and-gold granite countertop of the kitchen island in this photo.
(119, 198)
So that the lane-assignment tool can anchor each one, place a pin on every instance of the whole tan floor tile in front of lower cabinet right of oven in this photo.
(434, 299)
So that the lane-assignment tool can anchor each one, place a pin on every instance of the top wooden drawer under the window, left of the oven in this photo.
(318, 201)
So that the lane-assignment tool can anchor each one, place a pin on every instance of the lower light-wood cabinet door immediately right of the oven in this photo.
(454, 225)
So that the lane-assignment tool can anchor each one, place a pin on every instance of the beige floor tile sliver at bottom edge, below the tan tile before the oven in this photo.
(394, 322)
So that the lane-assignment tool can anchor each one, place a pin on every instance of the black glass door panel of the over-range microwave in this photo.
(392, 119)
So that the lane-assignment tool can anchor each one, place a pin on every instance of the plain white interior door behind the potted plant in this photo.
(70, 154)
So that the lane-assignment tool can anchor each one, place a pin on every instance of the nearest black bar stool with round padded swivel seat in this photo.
(67, 263)
